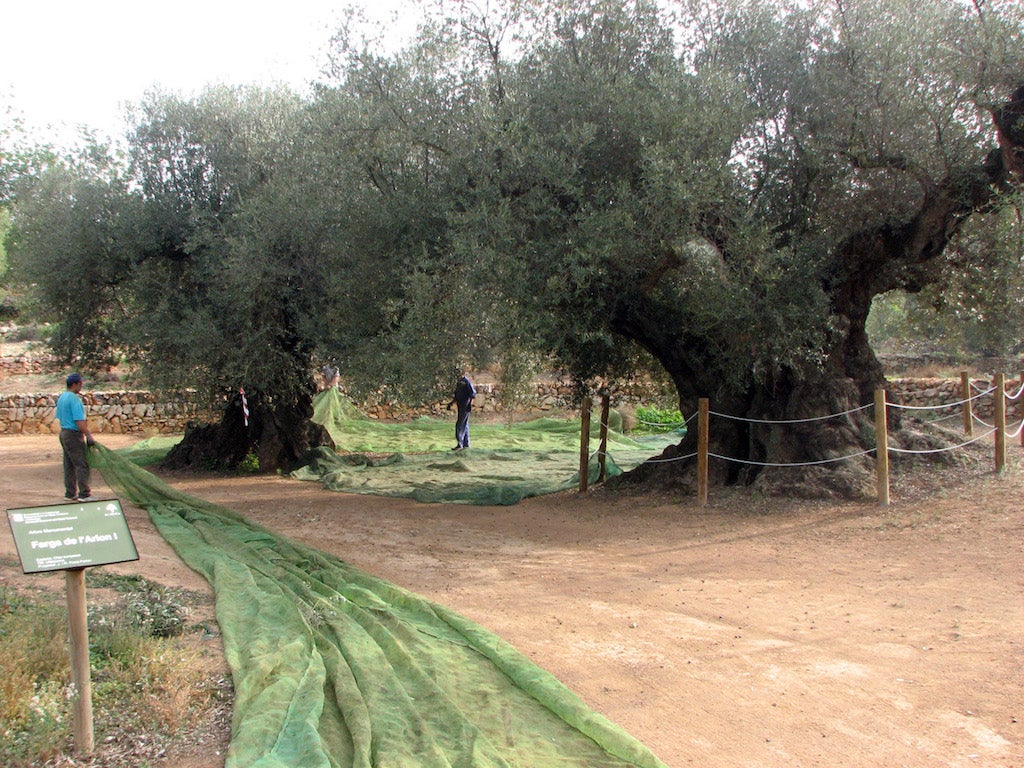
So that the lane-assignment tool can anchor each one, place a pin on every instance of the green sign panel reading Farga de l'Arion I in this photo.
(74, 535)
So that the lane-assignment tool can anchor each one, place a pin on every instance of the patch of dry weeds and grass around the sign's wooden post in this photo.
(154, 685)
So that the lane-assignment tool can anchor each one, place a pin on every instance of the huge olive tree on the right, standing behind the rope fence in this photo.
(728, 190)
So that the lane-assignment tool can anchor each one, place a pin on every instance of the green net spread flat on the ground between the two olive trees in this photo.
(506, 464)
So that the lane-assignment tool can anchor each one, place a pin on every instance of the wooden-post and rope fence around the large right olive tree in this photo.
(882, 450)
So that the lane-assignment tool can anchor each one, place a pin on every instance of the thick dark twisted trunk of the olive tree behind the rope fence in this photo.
(779, 421)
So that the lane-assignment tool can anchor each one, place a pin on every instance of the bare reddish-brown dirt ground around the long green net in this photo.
(748, 633)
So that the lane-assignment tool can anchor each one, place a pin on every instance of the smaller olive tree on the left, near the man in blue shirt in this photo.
(211, 260)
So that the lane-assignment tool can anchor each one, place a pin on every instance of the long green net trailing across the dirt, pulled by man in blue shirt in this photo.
(335, 668)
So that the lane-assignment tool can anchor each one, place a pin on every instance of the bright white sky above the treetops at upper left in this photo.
(68, 63)
